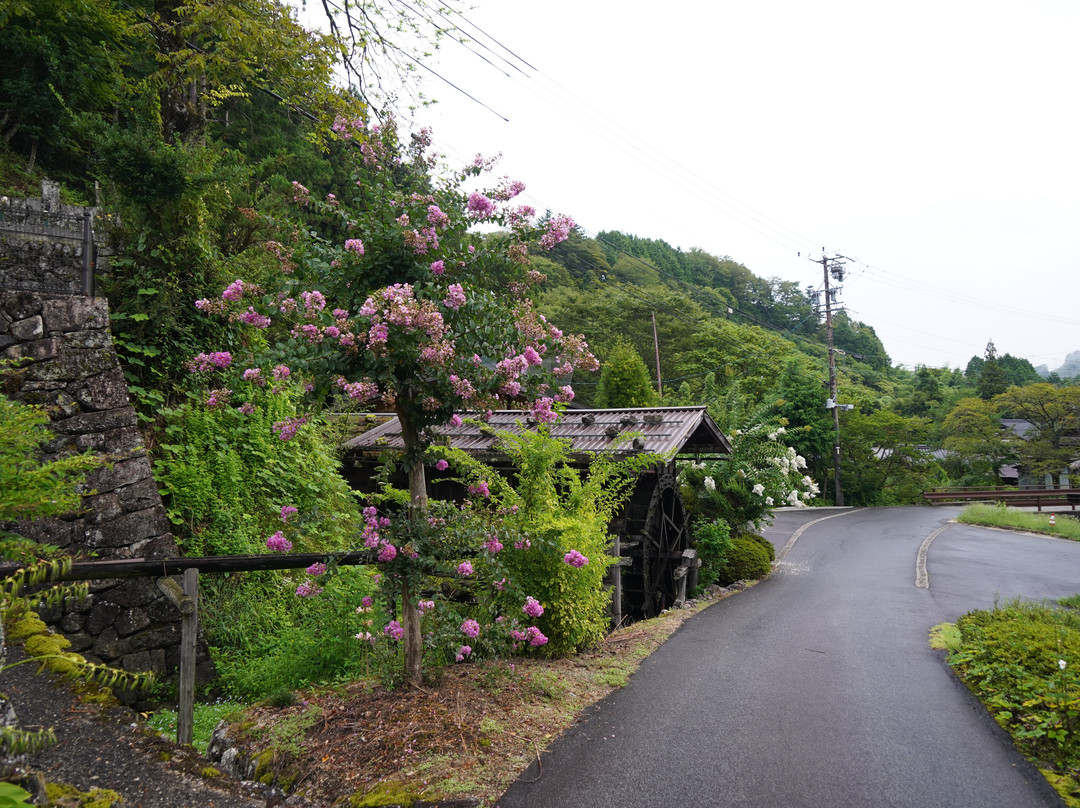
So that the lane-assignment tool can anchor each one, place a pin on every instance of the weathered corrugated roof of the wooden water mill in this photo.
(661, 430)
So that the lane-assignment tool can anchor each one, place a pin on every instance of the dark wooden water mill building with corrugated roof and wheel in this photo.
(651, 537)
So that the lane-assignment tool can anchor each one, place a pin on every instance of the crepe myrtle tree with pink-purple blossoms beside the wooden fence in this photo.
(391, 299)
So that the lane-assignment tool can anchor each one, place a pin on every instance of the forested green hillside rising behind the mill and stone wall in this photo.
(194, 127)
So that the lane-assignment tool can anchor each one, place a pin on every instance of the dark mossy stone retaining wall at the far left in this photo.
(69, 366)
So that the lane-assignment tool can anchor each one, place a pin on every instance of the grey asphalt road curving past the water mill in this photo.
(818, 688)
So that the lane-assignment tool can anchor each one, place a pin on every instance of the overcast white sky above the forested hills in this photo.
(935, 144)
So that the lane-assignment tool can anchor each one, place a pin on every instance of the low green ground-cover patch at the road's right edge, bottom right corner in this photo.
(1022, 661)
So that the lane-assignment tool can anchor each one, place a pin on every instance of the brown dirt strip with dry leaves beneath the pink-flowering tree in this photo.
(468, 735)
